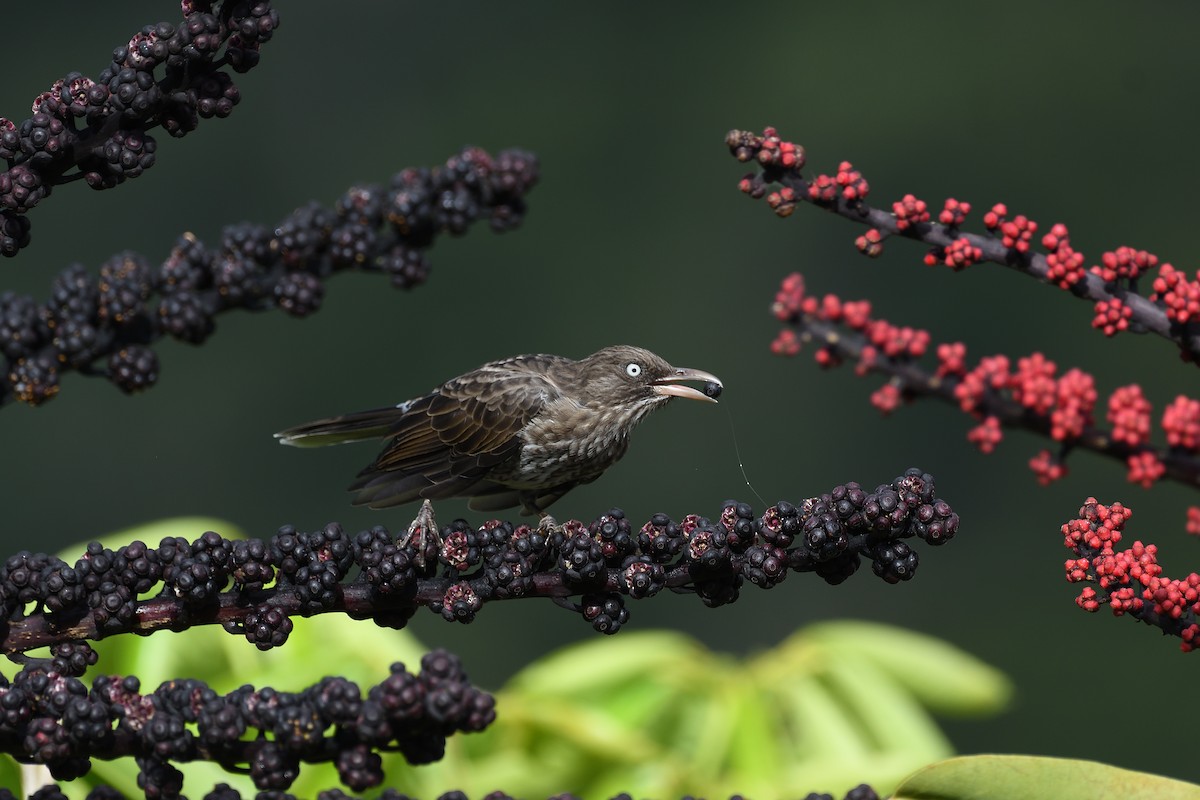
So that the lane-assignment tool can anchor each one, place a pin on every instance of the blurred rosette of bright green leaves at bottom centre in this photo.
(833, 706)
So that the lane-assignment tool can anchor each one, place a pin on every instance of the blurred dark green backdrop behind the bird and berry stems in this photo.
(638, 234)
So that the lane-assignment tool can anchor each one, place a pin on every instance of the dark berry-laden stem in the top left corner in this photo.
(167, 76)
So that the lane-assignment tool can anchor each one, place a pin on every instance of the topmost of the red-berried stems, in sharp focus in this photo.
(1172, 311)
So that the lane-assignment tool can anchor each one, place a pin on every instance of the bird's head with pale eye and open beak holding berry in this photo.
(632, 376)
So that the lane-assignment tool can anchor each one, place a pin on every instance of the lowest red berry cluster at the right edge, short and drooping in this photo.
(1130, 581)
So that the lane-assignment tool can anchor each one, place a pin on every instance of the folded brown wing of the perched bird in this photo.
(449, 441)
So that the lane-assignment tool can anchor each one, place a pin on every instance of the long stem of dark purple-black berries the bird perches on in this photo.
(254, 587)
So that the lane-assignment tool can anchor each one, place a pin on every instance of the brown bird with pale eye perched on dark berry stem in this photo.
(523, 431)
